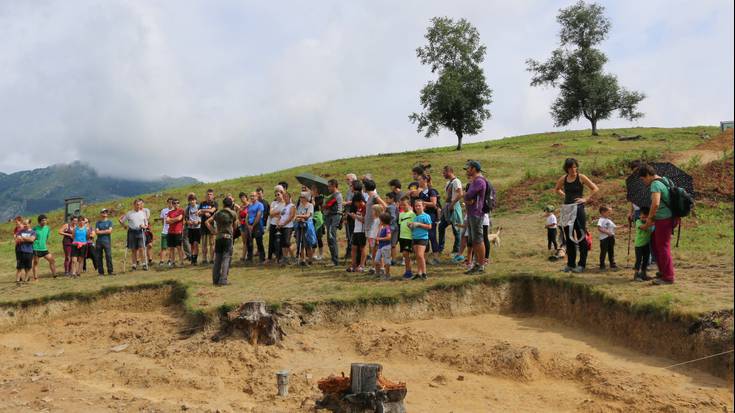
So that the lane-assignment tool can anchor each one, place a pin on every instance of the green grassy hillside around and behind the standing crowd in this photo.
(706, 263)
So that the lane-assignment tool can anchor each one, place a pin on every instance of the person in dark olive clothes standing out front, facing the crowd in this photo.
(226, 222)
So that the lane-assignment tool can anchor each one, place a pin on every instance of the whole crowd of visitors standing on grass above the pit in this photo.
(380, 231)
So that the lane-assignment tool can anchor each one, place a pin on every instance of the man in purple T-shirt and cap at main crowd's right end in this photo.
(475, 199)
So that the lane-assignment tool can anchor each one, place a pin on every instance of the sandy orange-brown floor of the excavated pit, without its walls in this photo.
(482, 363)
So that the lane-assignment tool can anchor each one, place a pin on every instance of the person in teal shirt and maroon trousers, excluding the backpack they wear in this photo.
(663, 219)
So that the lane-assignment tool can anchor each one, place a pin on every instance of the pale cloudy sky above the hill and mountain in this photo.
(222, 89)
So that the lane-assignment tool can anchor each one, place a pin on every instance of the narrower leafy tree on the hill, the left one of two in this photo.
(457, 100)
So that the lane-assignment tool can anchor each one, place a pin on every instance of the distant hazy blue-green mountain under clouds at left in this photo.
(44, 189)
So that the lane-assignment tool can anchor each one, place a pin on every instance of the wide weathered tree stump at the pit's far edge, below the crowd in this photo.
(254, 322)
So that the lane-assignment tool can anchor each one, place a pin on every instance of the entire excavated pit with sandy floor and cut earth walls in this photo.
(528, 344)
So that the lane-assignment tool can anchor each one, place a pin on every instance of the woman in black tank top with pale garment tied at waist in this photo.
(571, 187)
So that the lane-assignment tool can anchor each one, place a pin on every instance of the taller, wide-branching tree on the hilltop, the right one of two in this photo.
(577, 68)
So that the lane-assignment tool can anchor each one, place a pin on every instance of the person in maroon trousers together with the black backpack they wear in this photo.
(668, 205)
